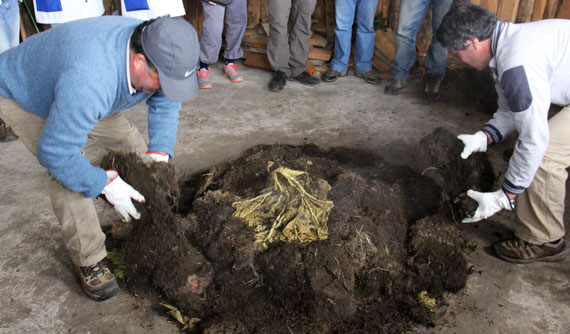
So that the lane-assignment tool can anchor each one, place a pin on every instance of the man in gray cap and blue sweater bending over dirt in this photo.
(69, 84)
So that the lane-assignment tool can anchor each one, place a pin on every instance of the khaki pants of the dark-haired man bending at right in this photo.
(540, 208)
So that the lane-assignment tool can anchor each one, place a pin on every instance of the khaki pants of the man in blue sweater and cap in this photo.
(80, 226)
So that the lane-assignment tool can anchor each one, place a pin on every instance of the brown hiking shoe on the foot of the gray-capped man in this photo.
(97, 281)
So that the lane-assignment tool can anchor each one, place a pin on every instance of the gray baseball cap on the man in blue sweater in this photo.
(172, 46)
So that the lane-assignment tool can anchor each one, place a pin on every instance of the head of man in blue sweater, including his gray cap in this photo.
(164, 56)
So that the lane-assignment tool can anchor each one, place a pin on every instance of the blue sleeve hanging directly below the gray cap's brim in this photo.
(162, 123)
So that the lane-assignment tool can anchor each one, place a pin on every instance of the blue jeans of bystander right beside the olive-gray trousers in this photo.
(365, 34)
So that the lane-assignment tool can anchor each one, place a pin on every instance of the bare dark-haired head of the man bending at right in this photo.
(466, 32)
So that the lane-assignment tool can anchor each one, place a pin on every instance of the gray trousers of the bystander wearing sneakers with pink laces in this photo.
(211, 39)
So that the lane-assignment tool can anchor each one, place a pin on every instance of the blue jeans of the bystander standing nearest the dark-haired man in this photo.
(412, 13)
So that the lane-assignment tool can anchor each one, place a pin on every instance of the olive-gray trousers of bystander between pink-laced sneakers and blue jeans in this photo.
(289, 54)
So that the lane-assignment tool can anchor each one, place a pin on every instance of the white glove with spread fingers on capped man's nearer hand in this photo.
(119, 194)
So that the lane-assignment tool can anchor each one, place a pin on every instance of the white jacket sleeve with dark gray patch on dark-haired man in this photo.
(524, 97)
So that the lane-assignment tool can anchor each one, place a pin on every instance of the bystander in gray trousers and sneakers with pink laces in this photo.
(235, 14)
